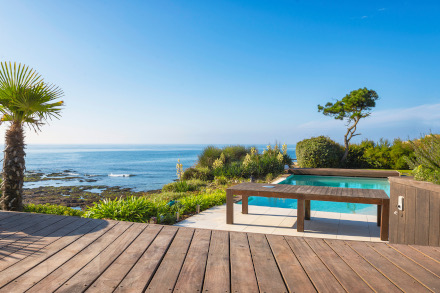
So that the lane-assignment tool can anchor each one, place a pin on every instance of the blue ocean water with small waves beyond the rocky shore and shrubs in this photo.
(140, 167)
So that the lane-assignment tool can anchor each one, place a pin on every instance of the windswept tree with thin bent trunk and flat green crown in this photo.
(353, 107)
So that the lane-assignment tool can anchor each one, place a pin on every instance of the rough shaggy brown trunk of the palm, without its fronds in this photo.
(13, 169)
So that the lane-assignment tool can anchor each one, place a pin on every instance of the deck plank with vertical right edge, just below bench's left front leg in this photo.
(217, 276)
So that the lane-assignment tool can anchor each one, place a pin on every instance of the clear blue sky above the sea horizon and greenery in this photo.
(227, 71)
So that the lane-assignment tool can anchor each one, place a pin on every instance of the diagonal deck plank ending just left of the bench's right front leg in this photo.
(401, 279)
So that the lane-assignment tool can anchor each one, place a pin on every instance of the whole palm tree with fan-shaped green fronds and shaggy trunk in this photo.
(25, 99)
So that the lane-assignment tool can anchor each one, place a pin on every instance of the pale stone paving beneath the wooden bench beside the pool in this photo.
(282, 221)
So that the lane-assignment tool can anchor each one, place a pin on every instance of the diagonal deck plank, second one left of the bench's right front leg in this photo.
(368, 273)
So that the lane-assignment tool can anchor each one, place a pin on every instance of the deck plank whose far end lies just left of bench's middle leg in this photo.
(294, 276)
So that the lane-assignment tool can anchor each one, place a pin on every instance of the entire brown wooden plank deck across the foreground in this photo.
(46, 253)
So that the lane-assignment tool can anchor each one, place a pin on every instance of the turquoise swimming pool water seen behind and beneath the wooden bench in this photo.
(327, 206)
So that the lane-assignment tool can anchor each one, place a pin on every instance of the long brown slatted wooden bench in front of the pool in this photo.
(304, 194)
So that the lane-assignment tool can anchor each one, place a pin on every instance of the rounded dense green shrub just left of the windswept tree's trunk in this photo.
(318, 152)
